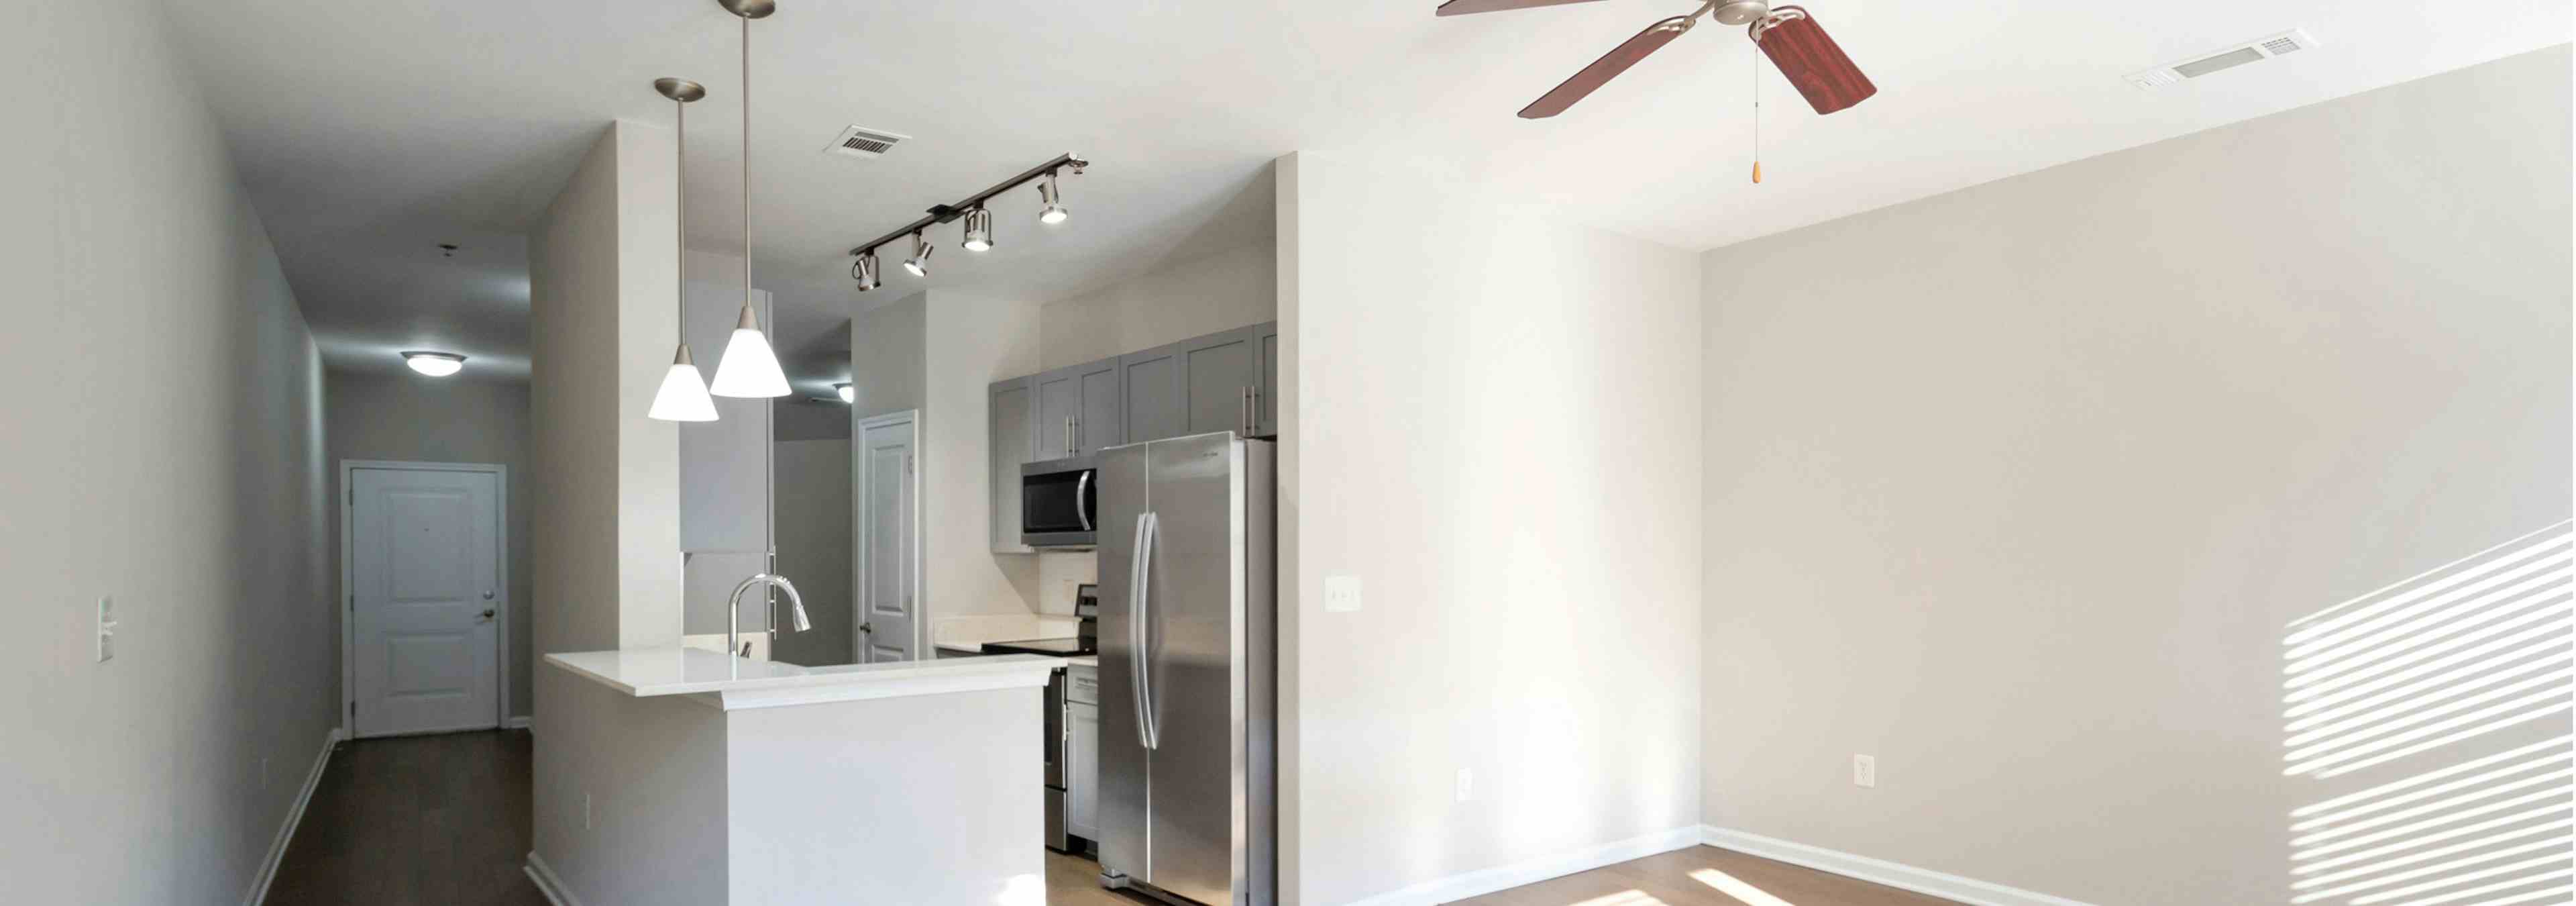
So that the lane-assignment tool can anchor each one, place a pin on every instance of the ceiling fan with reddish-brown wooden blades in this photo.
(1786, 35)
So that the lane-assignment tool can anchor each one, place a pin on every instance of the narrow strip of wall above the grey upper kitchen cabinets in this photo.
(1166, 305)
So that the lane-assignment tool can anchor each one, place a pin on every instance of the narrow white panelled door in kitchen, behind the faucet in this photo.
(887, 539)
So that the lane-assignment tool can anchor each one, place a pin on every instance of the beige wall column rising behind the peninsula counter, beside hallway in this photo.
(601, 277)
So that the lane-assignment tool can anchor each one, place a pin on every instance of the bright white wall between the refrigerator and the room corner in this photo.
(1493, 423)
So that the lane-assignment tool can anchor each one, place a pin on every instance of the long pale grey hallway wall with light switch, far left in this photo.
(166, 449)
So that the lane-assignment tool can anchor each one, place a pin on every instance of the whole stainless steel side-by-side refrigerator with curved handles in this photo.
(1189, 670)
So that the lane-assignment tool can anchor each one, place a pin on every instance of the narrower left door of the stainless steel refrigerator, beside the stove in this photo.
(1122, 809)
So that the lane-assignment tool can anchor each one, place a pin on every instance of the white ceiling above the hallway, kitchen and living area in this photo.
(372, 130)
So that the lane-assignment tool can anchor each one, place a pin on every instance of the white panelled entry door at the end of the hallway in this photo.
(426, 588)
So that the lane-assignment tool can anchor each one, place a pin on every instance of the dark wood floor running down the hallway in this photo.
(416, 820)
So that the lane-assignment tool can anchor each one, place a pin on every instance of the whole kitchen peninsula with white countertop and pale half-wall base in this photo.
(681, 776)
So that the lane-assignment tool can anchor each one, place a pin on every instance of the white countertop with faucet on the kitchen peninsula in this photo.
(746, 683)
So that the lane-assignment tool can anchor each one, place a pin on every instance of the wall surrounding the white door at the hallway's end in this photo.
(442, 421)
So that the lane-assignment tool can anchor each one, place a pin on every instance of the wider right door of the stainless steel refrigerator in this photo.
(1197, 642)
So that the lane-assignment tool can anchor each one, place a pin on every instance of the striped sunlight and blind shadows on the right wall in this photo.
(2433, 725)
